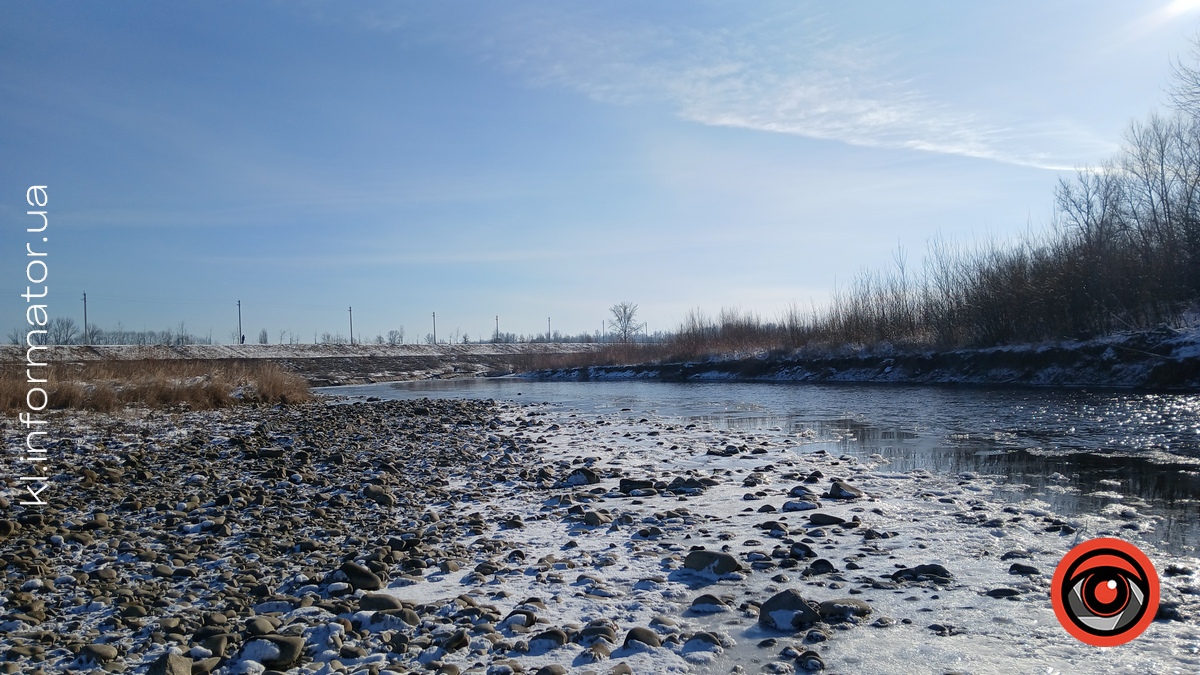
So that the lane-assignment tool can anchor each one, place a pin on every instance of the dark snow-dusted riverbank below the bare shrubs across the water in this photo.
(1163, 360)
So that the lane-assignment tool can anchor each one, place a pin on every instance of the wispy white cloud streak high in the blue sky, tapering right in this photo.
(789, 75)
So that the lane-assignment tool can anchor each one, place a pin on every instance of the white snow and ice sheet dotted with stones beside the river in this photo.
(628, 572)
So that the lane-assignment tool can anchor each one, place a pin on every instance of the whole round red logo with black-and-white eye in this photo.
(1105, 593)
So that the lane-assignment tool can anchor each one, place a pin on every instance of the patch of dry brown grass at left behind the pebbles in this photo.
(196, 385)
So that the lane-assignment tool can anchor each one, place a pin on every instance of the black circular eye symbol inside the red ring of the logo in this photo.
(1106, 594)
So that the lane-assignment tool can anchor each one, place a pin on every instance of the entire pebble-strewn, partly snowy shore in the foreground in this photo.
(466, 536)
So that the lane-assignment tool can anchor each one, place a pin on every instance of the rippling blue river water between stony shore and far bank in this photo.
(1076, 450)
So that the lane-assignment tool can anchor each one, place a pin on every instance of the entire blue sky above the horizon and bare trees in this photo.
(538, 160)
